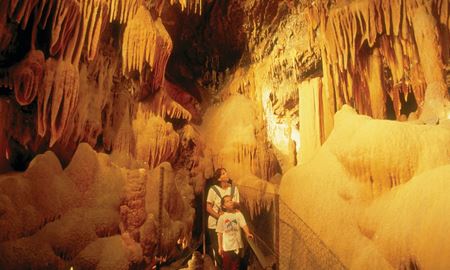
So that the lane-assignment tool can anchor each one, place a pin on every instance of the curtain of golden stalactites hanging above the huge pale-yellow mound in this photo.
(349, 29)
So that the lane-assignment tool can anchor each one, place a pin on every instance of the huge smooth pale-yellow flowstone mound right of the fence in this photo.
(374, 206)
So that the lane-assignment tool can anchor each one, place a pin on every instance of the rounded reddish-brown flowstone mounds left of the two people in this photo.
(93, 214)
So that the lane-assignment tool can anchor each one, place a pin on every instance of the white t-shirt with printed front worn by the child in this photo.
(230, 225)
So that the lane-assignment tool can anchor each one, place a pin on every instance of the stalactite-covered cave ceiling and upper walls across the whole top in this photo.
(81, 71)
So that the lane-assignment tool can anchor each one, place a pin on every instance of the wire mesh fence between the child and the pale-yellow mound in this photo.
(282, 236)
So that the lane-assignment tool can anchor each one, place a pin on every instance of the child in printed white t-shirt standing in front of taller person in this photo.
(229, 234)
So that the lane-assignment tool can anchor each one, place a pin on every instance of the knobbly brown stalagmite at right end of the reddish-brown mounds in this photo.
(176, 211)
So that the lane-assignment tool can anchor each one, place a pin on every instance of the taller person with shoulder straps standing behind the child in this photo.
(217, 191)
